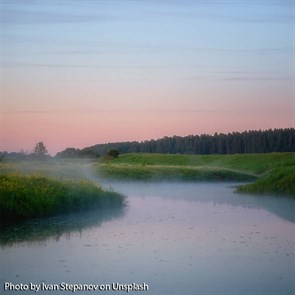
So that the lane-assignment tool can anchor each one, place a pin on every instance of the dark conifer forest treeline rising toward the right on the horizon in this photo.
(266, 141)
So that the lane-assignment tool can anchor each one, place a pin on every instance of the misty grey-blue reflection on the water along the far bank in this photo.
(205, 192)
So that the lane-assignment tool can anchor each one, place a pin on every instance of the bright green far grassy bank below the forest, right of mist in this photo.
(273, 173)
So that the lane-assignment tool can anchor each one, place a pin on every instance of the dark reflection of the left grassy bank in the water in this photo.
(55, 227)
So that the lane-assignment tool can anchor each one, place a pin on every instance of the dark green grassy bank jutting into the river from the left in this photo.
(24, 197)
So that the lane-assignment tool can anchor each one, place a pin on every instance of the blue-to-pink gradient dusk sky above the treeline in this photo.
(77, 73)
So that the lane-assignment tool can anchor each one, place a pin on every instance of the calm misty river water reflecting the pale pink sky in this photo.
(179, 238)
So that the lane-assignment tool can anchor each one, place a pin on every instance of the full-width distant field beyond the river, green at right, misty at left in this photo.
(272, 173)
